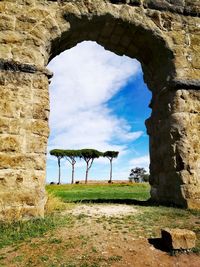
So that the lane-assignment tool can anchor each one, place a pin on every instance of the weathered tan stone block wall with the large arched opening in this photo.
(163, 35)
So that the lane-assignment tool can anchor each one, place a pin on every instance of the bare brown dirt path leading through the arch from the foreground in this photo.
(99, 237)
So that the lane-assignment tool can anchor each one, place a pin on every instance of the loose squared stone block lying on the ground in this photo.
(178, 239)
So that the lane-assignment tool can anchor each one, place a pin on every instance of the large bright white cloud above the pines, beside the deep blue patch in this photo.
(85, 78)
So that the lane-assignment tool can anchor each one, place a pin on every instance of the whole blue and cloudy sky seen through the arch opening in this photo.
(97, 100)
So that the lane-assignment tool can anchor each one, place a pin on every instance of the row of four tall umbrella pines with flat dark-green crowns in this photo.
(88, 155)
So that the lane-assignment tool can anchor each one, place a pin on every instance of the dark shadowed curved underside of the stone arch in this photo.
(118, 35)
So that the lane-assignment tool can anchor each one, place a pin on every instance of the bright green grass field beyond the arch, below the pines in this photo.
(70, 193)
